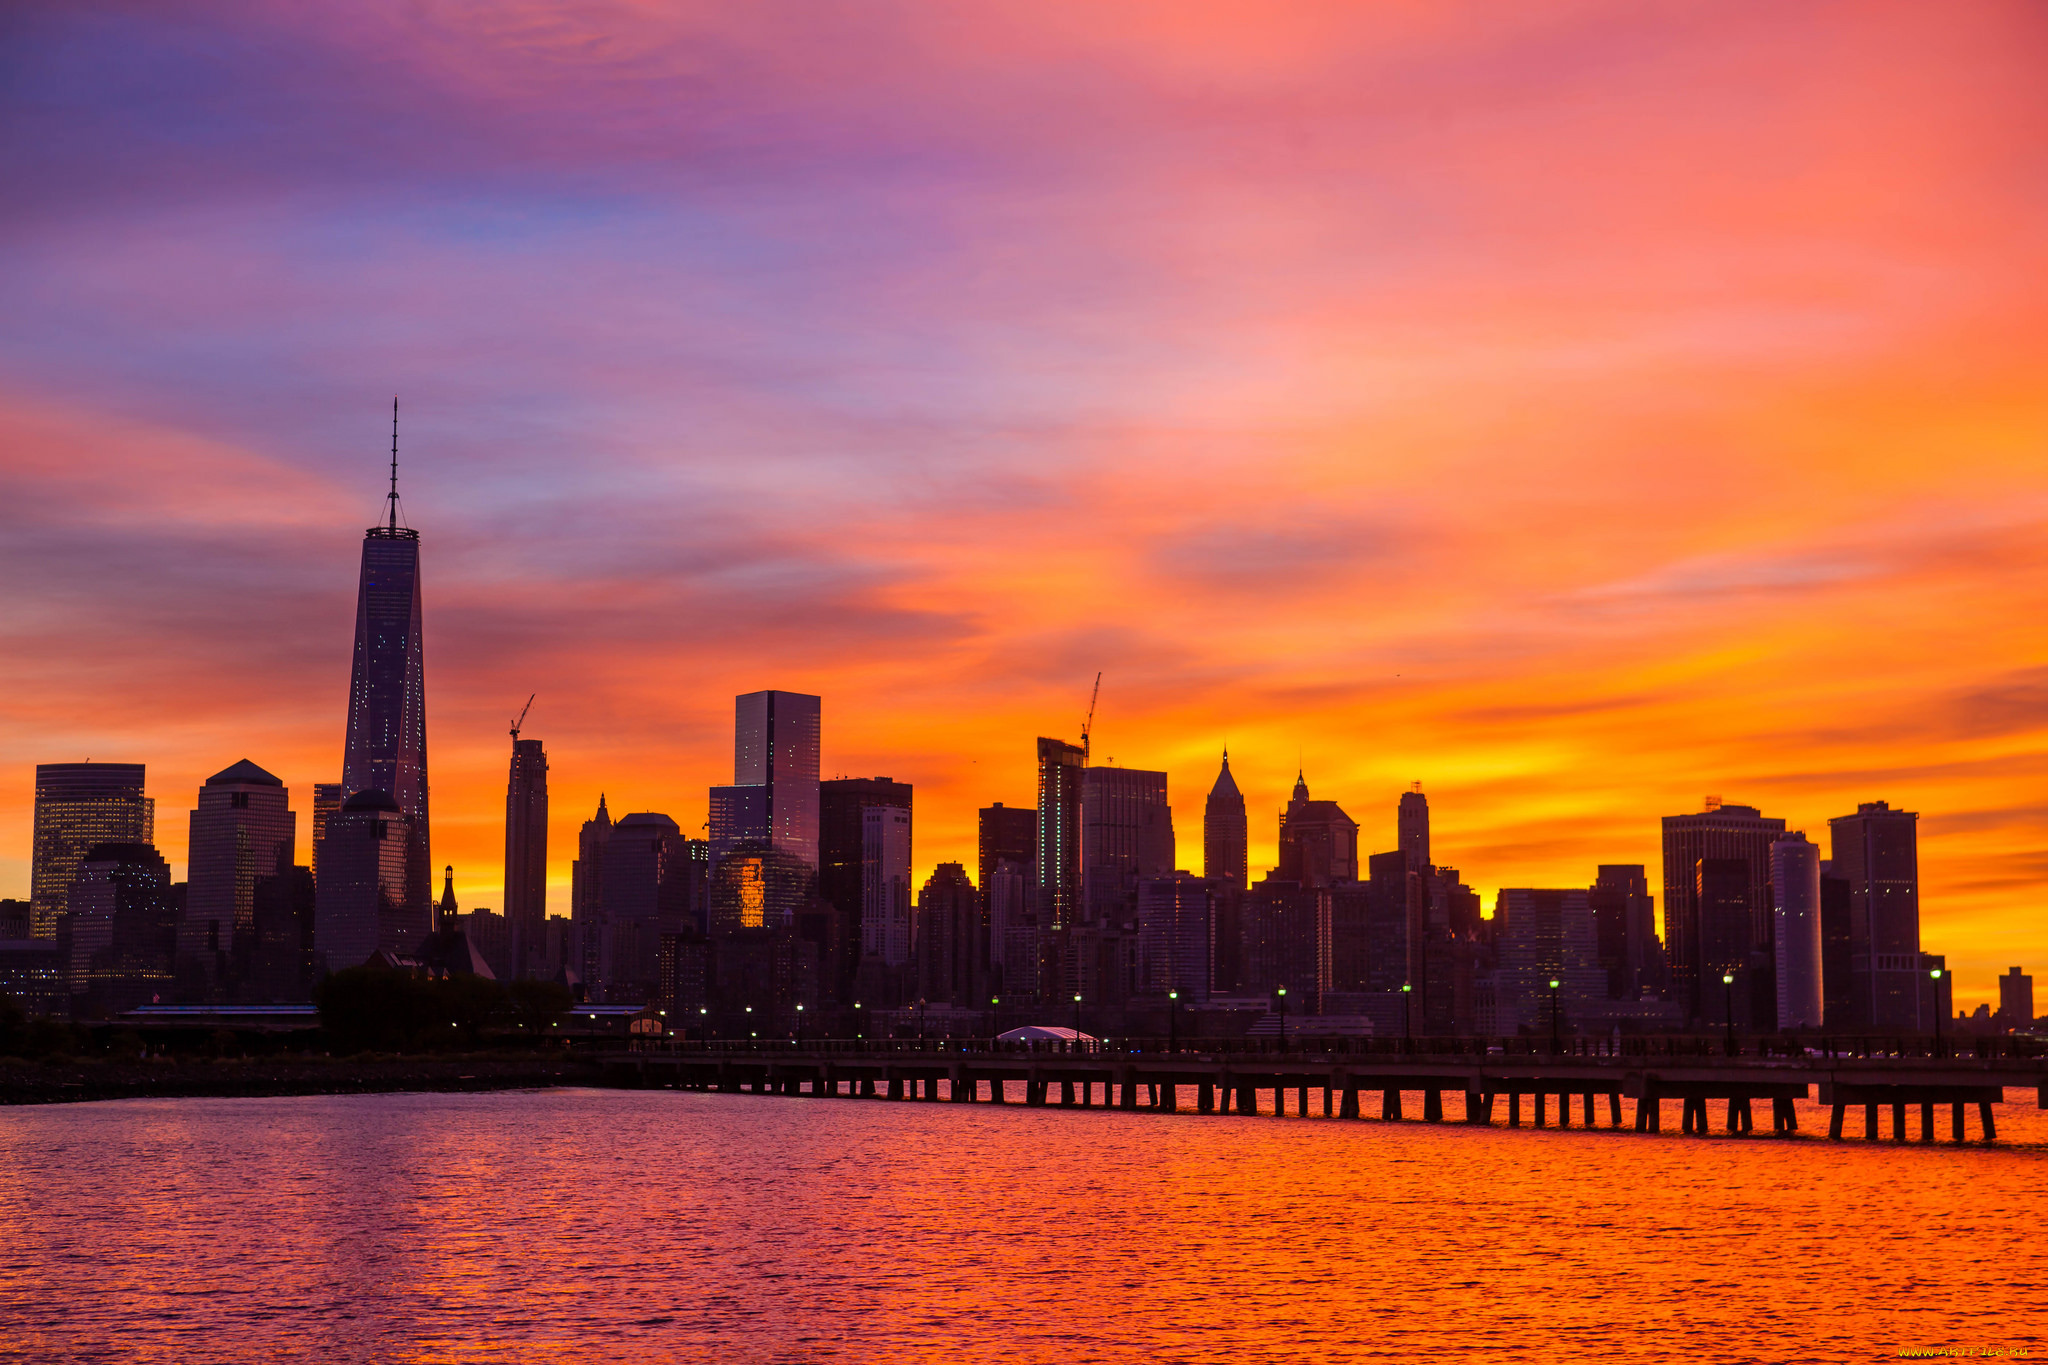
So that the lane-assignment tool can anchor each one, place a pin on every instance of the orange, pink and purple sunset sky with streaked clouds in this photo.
(1576, 408)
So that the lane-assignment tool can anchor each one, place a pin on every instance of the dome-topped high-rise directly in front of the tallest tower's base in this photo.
(366, 897)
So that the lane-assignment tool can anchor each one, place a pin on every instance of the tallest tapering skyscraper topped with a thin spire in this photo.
(388, 689)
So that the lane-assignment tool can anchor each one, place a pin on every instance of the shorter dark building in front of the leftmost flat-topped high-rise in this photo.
(124, 926)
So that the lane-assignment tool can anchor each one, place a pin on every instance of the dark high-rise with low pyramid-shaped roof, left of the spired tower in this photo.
(243, 830)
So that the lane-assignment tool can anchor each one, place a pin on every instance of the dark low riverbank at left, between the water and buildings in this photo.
(83, 1080)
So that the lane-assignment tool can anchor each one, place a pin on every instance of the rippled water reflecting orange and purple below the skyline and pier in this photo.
(681, 1227)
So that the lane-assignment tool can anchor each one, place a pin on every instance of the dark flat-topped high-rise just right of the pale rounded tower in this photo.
(1877, 852)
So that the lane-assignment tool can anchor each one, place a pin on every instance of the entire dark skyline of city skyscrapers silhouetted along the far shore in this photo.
(800, 899)
